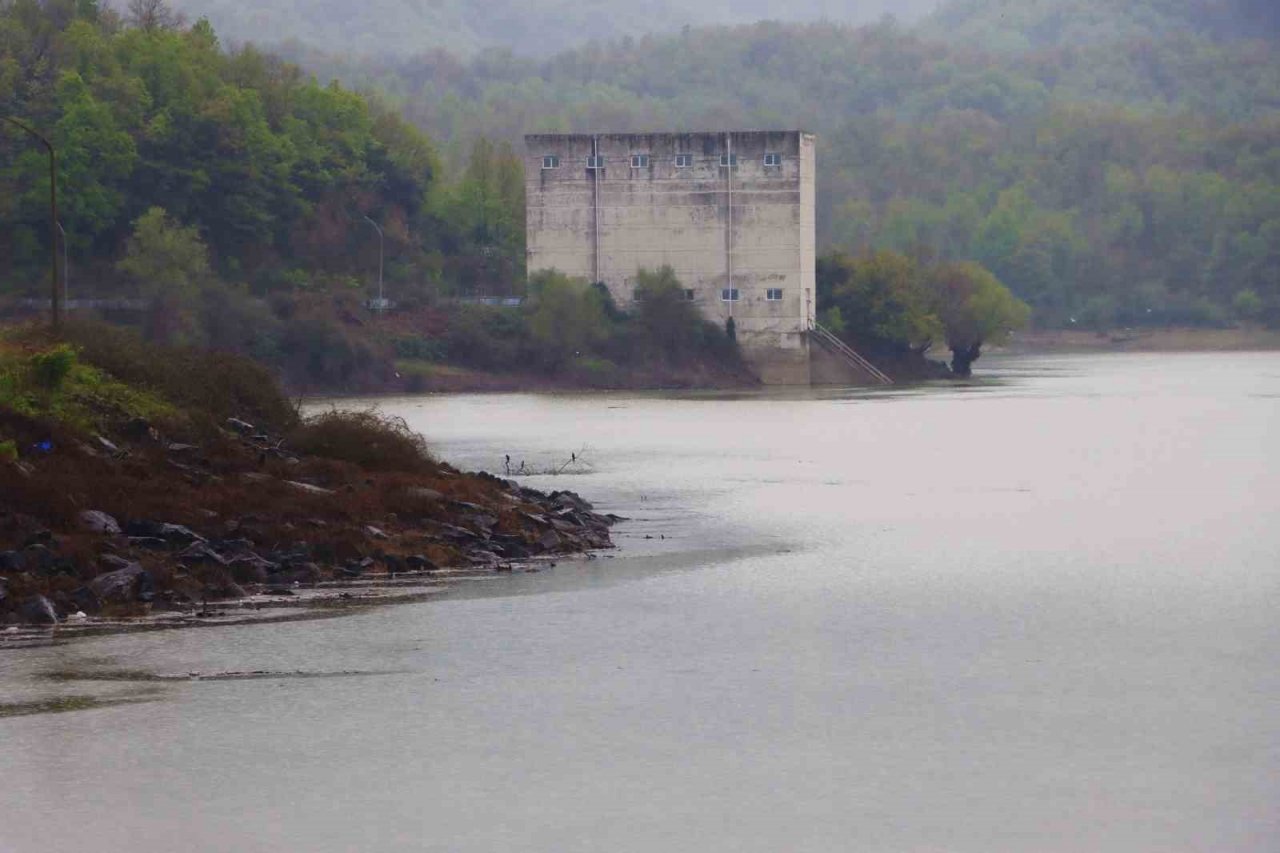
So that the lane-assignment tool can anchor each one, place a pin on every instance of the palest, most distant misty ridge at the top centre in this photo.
(405, 28)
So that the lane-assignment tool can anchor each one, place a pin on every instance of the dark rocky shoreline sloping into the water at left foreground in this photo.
(177, 533)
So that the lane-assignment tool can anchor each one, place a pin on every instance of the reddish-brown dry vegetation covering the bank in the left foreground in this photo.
(340, 495)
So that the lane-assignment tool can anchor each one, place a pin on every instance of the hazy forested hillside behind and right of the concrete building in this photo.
(1122, 183)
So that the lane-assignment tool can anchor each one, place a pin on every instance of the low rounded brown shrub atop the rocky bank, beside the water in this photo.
(367, 439)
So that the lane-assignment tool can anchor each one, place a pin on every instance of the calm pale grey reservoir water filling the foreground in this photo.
(1035, 613)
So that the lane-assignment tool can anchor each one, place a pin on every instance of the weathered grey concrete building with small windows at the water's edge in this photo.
(749, 229)
